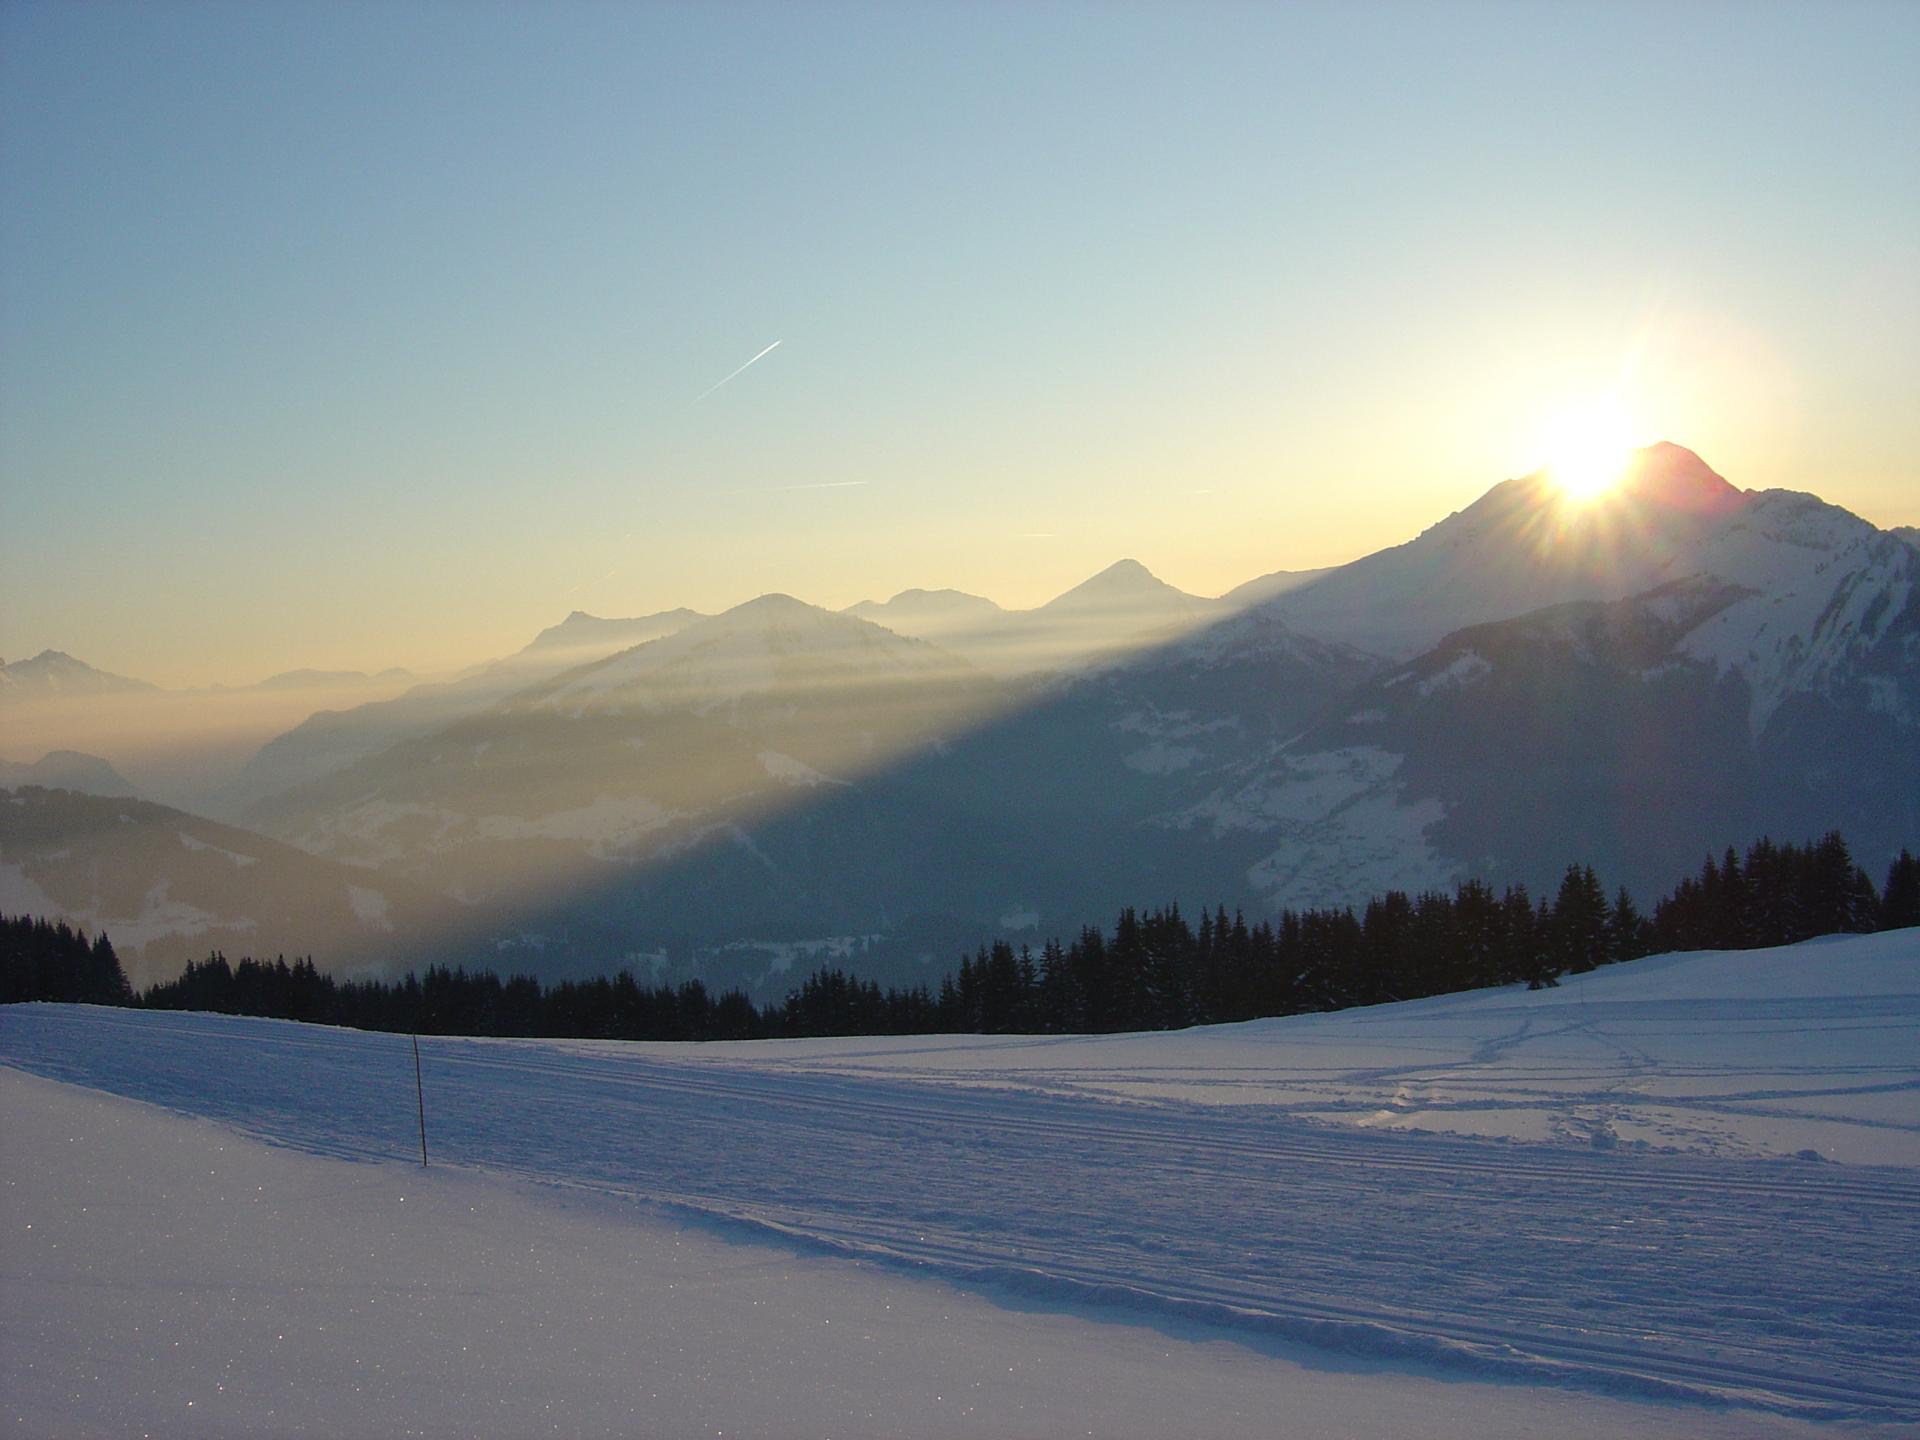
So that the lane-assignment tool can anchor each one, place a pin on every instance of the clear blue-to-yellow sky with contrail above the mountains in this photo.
(358, 335)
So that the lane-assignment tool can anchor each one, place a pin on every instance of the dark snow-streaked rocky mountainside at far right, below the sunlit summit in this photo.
(1777, 690)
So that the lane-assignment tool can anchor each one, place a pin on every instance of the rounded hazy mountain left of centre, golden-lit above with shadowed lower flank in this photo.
(621, 807)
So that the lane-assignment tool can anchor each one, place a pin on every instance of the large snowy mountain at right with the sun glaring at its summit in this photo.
(1767, 679)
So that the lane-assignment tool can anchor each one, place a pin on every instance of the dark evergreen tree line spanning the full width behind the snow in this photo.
(1155, 971)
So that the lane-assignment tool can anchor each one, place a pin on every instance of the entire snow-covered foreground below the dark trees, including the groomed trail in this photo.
(1583, 1211)
